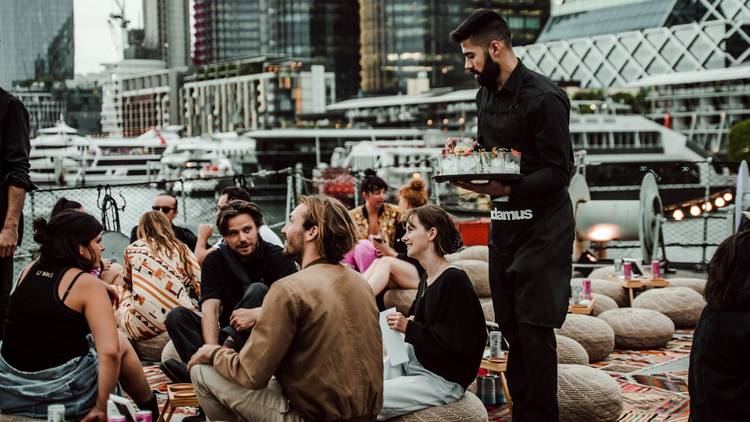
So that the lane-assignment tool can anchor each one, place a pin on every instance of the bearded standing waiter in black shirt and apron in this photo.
(531, 237)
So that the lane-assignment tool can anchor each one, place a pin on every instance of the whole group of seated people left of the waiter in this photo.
(264, 330)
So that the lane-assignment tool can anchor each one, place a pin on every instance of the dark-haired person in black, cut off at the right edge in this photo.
(719, 376)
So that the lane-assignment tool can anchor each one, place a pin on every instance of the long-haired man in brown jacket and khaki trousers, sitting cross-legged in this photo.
(316, 352)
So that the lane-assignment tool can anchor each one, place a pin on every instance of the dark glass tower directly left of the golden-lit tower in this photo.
(318, 32)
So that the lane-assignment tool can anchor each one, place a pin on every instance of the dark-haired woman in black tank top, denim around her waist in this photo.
(48, 355)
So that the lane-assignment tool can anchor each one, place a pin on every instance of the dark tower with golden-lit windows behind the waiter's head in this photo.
(403, 40)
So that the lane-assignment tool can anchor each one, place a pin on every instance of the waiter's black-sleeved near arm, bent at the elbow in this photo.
(549, 120)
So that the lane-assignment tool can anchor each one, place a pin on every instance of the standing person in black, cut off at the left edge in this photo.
(14, 182)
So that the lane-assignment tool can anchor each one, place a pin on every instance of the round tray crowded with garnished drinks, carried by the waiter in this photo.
(463, 162)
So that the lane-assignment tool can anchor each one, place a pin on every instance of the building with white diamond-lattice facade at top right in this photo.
(612, 43)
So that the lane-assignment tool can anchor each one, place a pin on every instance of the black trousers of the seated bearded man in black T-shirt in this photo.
(184, 326)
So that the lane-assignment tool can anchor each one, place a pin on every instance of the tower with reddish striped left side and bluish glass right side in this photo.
(228, 29)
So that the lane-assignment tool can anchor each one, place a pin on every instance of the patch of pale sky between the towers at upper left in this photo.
(93, 38)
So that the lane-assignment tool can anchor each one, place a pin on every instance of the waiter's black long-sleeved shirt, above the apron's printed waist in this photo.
(529, 114)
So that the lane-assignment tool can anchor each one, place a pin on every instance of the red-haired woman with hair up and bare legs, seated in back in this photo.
(395, 269)
